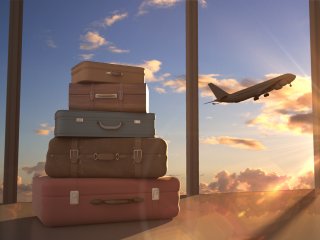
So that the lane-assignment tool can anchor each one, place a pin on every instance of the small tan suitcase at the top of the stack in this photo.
(98, 72)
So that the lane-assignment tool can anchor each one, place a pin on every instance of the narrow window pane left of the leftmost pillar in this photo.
(4, 25)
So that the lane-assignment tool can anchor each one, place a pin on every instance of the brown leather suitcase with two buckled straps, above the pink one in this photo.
(106, 157)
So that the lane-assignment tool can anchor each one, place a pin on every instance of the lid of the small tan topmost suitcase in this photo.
(107, 66)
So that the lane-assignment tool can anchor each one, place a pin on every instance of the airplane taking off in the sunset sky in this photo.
(254, 91)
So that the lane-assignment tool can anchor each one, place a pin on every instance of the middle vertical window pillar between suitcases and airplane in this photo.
(192, 113)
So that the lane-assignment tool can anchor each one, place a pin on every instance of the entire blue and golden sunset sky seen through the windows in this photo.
(248, 146)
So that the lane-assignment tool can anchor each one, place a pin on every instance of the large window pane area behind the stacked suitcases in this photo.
(126, 32)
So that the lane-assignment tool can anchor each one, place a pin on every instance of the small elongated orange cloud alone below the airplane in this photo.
(242, 143)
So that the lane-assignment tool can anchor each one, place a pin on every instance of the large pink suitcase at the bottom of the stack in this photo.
(73, 201)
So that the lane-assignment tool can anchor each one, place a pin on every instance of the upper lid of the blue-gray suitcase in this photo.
(65, 114)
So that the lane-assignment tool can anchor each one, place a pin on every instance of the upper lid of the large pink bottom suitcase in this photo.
(99, 186)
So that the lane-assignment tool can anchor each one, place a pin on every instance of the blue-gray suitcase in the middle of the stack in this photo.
(70, 123)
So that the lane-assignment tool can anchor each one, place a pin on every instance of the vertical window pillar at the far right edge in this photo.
(314, 6)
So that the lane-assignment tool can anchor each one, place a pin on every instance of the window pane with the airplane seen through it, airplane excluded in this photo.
(261, 145)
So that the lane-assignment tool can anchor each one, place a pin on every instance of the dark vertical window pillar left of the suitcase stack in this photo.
(13, 102)
